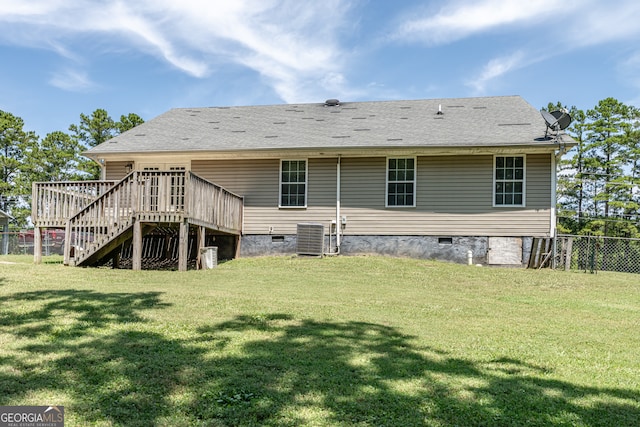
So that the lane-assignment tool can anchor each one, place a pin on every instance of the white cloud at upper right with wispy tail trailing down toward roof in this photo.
(544, 29)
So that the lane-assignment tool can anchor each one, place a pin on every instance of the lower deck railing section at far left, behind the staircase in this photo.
(53, 203)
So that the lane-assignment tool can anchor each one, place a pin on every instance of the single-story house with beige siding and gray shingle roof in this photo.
(441, 178)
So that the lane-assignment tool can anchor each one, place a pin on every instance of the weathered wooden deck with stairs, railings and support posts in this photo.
(99, 216)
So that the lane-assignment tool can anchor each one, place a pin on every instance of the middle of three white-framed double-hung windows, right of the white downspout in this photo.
(401, 182)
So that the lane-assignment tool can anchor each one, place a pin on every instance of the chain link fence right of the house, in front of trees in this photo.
(596, 253)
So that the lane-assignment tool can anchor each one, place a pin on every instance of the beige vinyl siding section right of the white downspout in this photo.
(454, 196)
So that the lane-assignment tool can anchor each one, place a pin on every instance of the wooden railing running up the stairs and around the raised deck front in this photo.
(151, 197)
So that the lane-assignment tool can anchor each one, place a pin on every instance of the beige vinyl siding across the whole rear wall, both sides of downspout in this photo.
(454, 196)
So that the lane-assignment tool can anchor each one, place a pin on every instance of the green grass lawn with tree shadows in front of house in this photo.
(345, 341)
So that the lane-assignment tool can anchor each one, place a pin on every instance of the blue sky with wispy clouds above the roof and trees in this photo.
(60, 58)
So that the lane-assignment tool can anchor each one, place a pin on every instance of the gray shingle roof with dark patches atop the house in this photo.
(464, 122)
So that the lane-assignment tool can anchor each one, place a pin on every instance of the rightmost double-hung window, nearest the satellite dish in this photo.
(509, 181)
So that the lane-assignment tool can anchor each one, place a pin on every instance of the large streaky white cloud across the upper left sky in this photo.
(288, 42)
